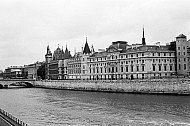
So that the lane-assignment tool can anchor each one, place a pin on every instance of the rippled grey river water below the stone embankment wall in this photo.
(48, 107)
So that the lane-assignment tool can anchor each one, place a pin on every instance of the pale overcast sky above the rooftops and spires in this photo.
(28, 26)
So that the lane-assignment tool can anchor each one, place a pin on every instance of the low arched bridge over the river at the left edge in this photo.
(23, 82)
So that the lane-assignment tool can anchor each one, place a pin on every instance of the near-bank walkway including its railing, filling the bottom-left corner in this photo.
(6, 119)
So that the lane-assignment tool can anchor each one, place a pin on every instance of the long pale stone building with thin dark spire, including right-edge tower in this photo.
(138, 61)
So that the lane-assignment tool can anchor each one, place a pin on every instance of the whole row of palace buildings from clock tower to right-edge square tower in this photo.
(121, 61)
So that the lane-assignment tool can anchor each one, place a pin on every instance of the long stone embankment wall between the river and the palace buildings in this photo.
(156, 86)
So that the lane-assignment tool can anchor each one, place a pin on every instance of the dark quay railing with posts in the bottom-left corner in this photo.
(11, 119)
